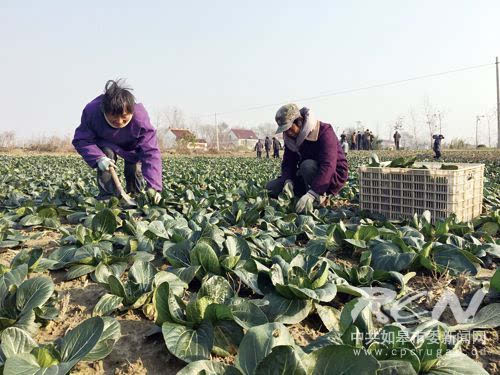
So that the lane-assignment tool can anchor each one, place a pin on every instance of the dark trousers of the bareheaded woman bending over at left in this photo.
(133, 178)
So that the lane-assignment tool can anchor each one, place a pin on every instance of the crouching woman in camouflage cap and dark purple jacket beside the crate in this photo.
(314, 163)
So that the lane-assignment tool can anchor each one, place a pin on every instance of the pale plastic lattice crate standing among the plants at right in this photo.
(399, 193)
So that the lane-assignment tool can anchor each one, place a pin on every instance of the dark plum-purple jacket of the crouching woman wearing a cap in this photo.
(323, 146)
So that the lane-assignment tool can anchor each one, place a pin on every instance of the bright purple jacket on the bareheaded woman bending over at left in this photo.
(135, 142)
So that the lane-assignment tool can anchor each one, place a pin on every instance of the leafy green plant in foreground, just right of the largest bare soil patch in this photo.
(211, 320)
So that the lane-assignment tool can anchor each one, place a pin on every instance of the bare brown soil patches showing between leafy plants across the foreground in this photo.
(138, 353)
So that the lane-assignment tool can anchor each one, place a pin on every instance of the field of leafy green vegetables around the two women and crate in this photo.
(213, 277)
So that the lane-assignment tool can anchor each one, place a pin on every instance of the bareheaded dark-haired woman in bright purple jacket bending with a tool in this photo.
(114, 124)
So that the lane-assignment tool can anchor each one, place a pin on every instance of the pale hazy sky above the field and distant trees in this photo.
(226, 56)
